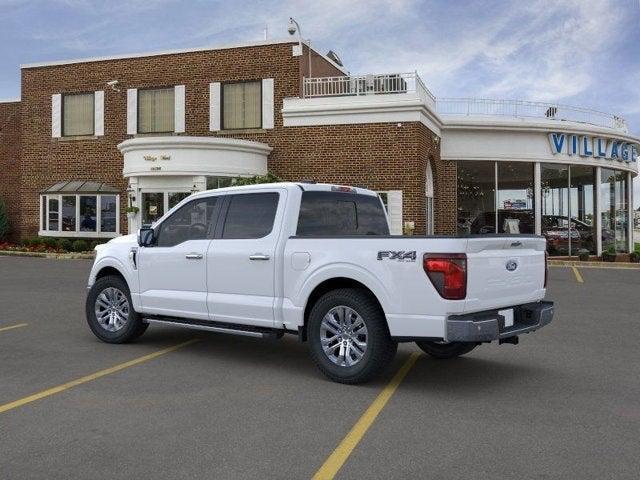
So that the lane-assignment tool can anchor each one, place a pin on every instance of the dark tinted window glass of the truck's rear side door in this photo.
(251, 215)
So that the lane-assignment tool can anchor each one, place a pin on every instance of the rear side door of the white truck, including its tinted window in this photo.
(242, 258)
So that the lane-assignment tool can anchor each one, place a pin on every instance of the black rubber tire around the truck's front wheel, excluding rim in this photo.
(133, 327)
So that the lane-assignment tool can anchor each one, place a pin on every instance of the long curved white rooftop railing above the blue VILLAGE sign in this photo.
(526, 109)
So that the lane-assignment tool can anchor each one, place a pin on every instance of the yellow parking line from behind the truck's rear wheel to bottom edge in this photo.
(332, 465)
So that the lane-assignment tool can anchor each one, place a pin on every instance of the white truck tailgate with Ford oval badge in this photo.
(504, 271)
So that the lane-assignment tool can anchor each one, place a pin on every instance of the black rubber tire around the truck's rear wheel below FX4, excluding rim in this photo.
(380, 349)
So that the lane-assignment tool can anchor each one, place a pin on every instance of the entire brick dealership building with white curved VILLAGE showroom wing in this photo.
(90, 137)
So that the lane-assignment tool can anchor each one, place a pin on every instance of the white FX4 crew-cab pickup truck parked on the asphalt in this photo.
(317, 261)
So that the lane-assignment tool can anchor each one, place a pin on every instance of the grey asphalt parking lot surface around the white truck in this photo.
(565, 403)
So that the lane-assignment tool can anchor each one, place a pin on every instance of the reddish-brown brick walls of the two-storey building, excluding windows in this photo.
(381, 156)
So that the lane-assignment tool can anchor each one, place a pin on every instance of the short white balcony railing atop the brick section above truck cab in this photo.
(357, 85)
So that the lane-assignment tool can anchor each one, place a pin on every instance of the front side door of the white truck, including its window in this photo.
(173, 273)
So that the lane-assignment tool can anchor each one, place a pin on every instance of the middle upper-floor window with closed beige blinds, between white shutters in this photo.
(156, 110)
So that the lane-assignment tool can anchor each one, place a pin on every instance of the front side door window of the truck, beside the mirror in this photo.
(192, 221)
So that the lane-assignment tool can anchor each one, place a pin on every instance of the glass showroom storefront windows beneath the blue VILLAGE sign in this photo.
(500, 196)
